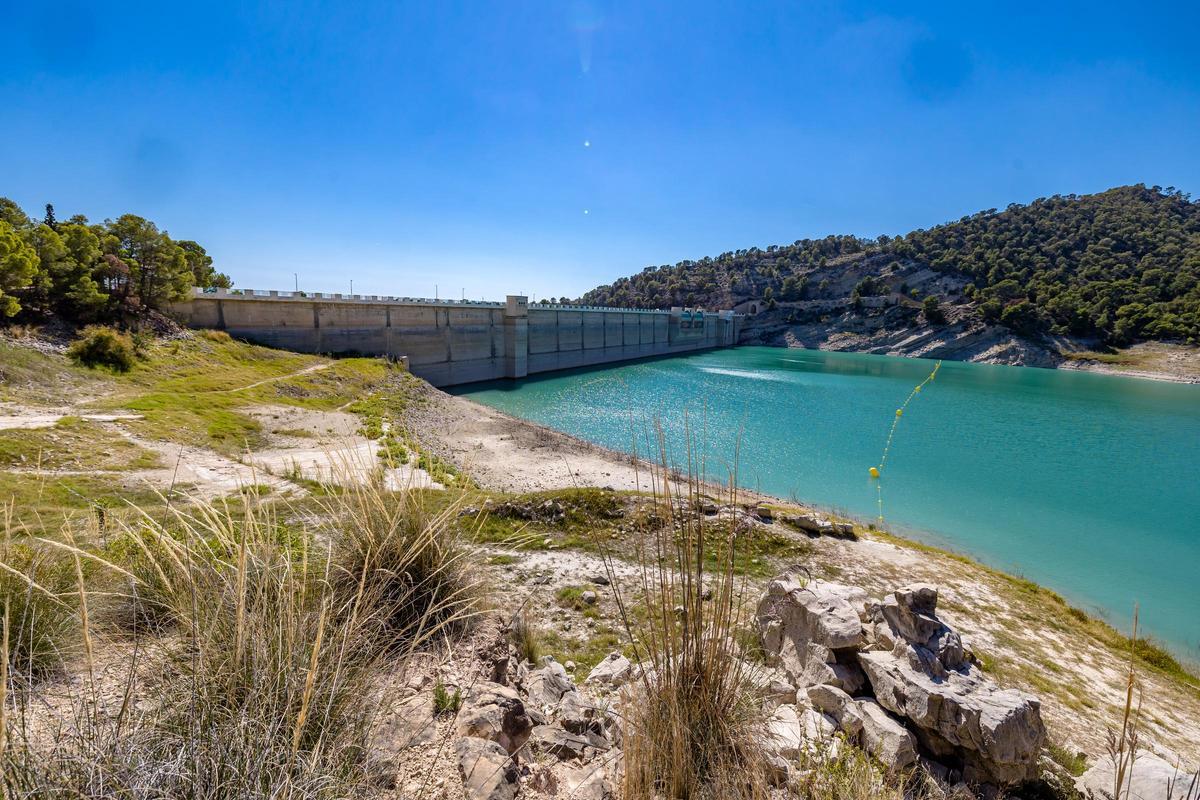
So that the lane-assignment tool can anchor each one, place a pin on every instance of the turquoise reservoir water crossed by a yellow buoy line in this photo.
(1083, 483)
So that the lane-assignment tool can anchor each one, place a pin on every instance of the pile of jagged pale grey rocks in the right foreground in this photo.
(898, 682)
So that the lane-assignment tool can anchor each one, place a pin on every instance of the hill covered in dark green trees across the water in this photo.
(1123, 266)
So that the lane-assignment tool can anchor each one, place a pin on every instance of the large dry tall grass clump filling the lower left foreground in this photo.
(267, 679)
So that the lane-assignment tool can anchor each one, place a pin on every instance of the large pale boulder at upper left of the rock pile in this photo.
(796, 613)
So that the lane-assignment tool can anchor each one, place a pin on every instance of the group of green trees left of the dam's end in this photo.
(113, 272)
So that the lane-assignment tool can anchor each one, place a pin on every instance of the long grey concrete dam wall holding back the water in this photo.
(453, 342)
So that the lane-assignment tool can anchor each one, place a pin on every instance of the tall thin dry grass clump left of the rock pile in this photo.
(697, 726)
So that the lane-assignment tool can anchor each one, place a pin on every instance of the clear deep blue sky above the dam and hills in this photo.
(551, 147)
